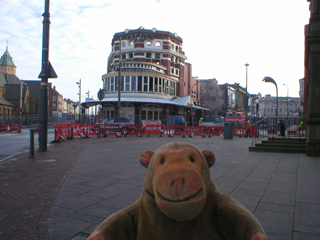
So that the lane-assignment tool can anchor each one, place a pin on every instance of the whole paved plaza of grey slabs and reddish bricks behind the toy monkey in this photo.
(66, 192)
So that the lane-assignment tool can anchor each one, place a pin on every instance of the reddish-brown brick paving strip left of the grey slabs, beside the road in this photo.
(28, 187)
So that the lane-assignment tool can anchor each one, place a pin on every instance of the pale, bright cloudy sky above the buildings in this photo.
(219, 38)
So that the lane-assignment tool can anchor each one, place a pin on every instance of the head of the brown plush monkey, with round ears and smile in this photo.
(178, 177)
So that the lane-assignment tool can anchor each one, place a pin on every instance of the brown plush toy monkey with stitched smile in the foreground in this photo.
(179, 201)
